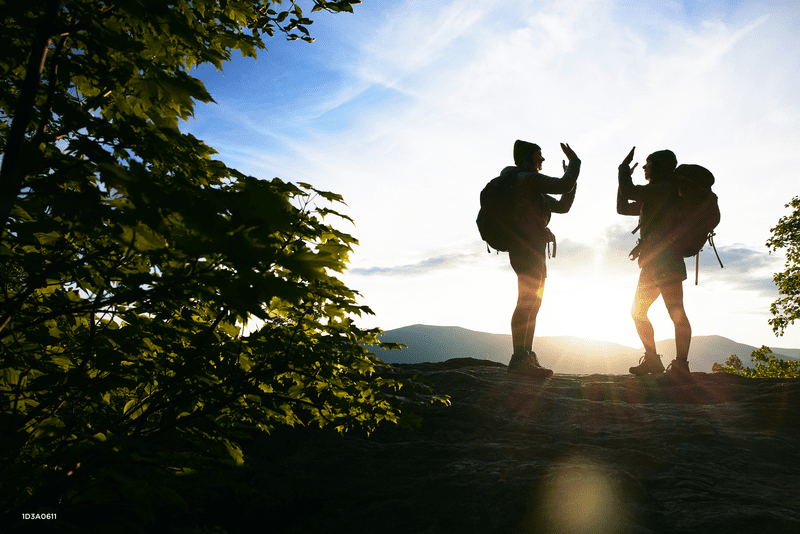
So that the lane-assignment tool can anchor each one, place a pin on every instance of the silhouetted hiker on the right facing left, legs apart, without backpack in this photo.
(662, 267)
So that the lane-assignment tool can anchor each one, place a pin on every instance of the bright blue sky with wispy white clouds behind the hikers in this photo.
(407, 108)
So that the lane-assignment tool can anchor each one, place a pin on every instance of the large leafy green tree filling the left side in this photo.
(156, 306)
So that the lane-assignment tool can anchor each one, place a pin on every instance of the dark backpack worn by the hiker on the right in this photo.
(698, 210)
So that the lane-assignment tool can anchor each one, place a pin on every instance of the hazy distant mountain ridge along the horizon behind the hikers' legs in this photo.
(563, 354)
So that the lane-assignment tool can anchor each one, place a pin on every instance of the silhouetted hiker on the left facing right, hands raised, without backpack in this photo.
(532, 206)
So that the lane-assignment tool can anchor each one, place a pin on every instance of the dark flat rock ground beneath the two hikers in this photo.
(570, 454)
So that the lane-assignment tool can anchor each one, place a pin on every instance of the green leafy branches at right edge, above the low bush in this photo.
(787, 235)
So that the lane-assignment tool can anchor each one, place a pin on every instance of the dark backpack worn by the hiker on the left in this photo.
(496, 217)
